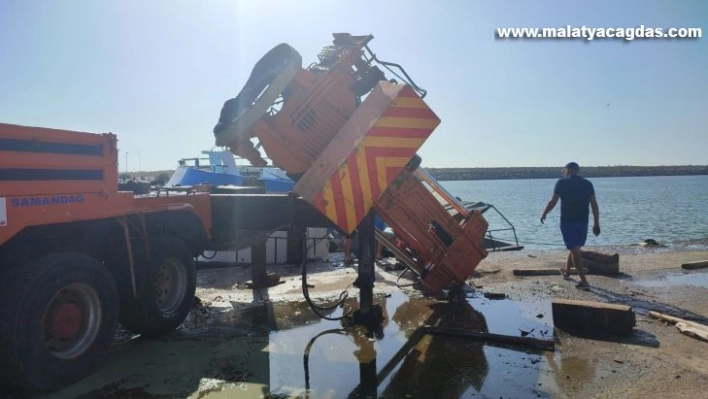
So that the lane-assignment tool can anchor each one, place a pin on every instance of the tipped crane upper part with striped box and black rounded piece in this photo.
(348, 136)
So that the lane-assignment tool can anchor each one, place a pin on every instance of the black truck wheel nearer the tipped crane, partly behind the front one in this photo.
(167, 292)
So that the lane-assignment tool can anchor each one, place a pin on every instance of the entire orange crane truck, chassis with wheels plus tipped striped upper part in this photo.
(77, 256)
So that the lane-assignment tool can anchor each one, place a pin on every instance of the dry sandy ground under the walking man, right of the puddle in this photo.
(657, 361)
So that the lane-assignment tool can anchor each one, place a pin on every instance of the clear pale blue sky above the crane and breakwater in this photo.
(157, 72)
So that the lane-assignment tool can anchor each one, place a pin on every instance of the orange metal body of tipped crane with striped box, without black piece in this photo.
(349, 158)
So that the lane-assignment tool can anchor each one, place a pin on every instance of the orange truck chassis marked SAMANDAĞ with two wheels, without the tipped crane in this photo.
(78, 257)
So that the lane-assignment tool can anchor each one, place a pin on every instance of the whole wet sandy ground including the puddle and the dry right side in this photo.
(239, 342)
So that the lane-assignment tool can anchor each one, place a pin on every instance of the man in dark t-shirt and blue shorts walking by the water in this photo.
(577, 195)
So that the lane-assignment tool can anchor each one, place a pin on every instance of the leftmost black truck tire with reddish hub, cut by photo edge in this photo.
(58, 315)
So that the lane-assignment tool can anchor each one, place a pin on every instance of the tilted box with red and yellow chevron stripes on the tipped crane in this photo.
(367, 153)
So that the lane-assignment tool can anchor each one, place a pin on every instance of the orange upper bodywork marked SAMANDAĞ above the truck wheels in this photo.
(50, 176)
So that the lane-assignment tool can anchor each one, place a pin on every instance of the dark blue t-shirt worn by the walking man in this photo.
(574, 192)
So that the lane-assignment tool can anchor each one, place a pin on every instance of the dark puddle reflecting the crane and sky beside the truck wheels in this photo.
(283, 350)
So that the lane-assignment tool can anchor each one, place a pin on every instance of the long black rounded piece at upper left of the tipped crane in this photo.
(268, 80)
